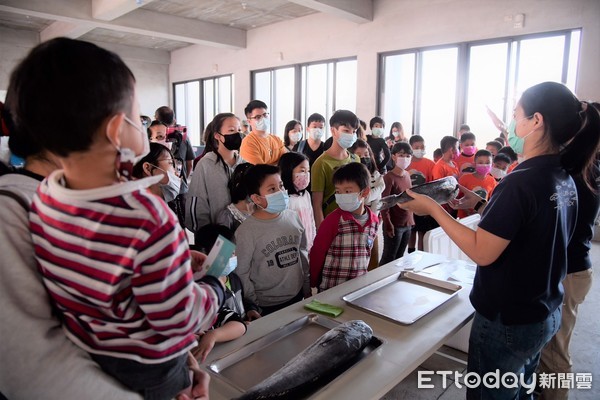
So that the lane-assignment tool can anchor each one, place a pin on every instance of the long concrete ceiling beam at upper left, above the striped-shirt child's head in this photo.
(139, 21)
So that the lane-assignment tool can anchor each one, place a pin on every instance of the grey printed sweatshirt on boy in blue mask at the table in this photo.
(272, 258)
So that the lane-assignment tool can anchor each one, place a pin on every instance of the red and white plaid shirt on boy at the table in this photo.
(342, 248)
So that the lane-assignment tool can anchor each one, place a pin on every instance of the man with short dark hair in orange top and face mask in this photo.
(260, 146)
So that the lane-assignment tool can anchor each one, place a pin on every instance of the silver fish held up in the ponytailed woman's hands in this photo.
(441, 190)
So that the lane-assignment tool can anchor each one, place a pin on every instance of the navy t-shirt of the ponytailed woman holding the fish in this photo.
(535, 207)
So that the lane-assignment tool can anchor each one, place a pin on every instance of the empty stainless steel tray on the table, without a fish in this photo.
(403, 297)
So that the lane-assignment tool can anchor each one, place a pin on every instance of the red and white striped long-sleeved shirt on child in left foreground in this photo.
(117, 266)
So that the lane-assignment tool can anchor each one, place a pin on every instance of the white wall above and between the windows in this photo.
(397, 25)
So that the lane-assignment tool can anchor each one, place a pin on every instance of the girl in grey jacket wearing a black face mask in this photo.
(209, 193)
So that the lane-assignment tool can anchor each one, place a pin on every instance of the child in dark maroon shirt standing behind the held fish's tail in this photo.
(397, 223)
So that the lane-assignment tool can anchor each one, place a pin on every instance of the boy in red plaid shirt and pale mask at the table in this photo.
(344, 241)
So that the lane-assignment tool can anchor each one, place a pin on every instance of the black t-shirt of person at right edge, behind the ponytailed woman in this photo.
(588, 204)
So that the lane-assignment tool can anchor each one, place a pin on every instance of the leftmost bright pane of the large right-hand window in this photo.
(399, 90)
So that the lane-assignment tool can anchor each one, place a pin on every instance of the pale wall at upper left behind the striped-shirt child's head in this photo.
(150, 67)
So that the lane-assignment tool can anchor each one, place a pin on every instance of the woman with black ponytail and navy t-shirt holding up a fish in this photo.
(520, 245)
